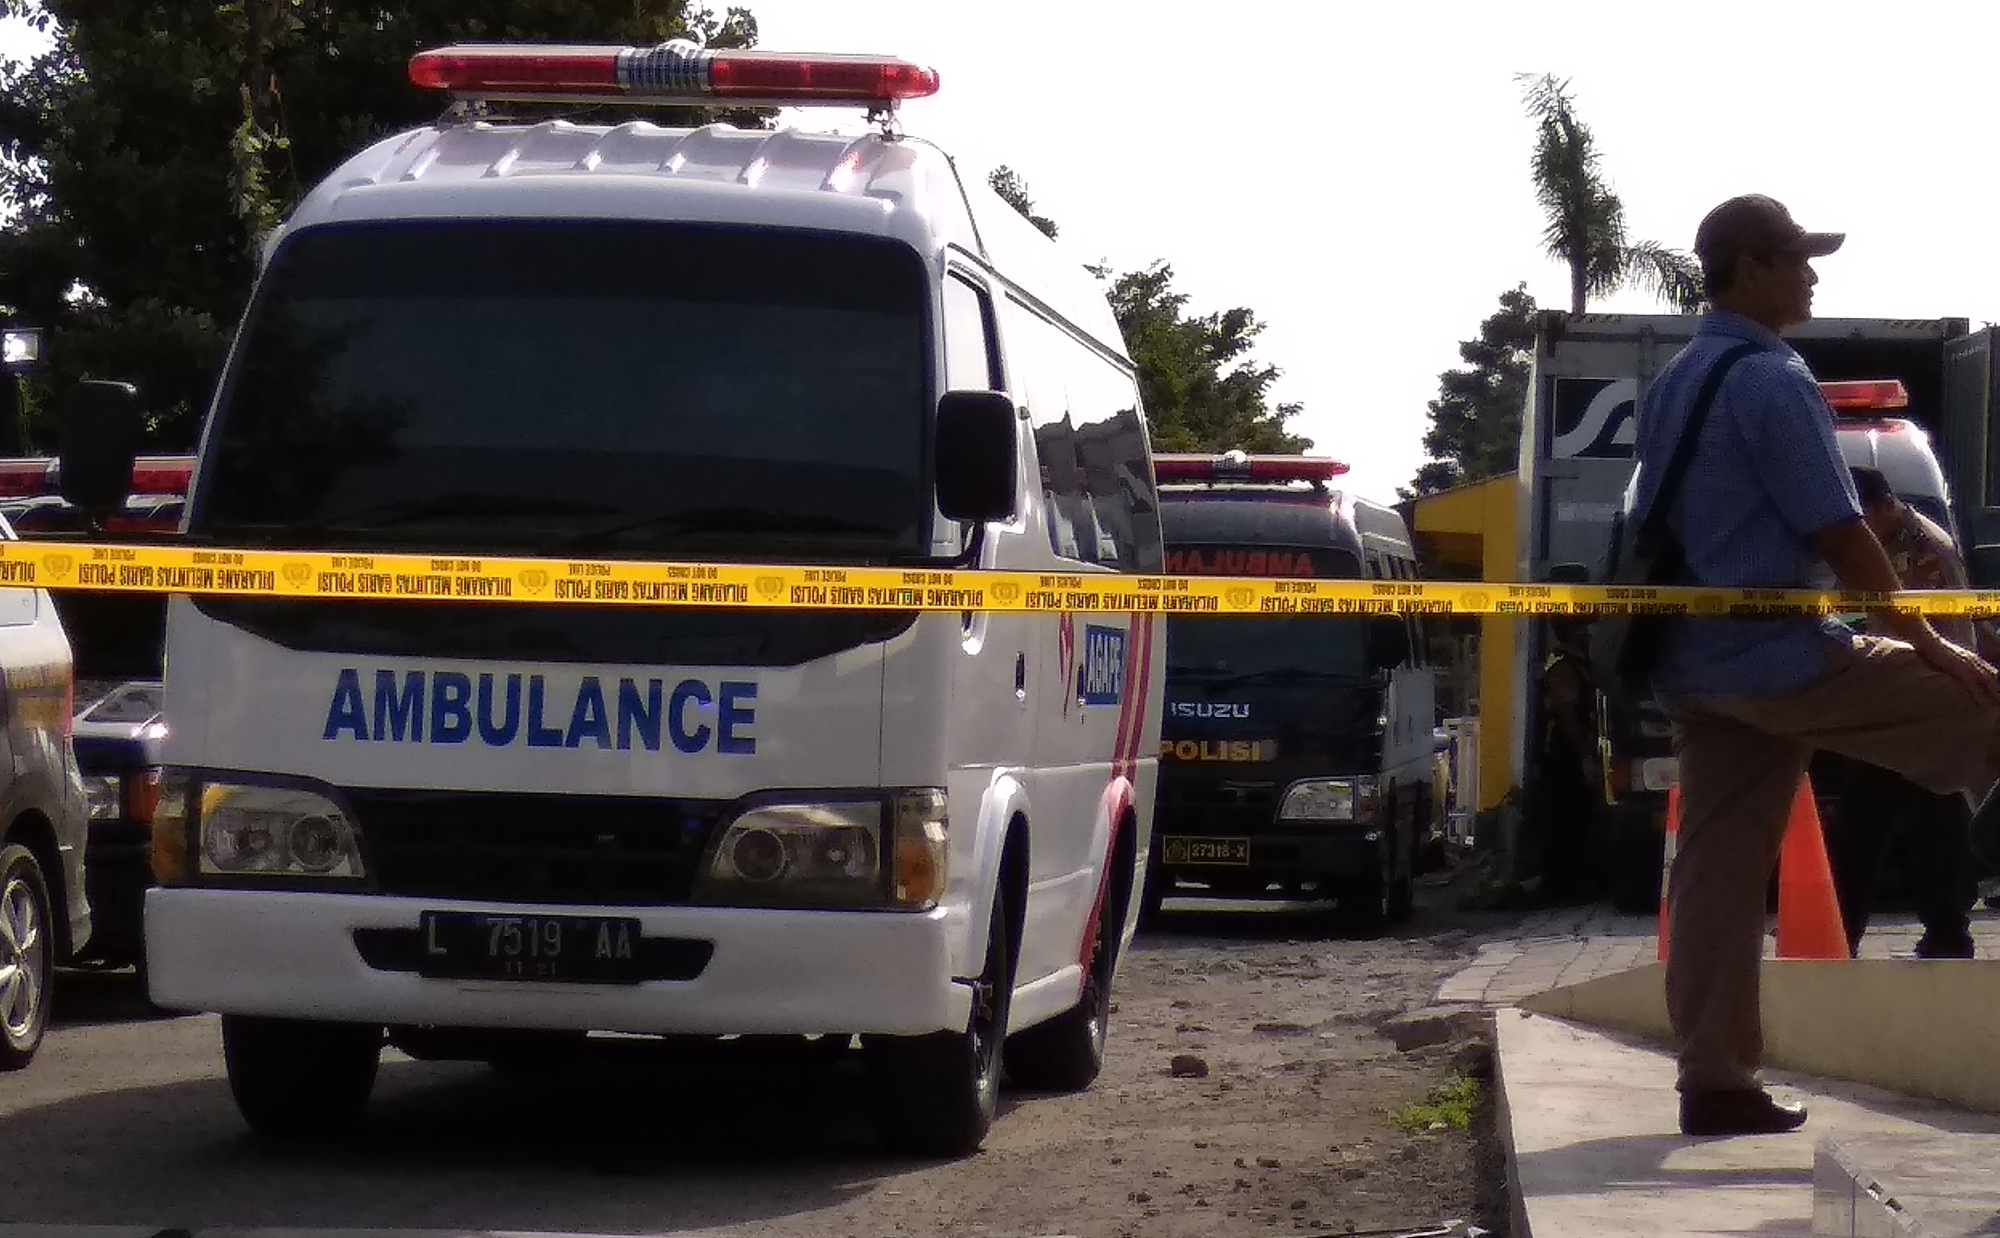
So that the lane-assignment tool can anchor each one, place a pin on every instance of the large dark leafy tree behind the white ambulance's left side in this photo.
(147, 155)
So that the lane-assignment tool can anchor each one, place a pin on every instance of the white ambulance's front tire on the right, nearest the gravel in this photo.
(939, 1095)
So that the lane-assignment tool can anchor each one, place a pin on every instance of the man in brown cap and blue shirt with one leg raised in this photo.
(1765, 501)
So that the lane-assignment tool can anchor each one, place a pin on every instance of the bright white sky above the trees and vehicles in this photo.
(1359, 173)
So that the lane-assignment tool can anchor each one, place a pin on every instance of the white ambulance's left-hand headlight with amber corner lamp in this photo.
(275, 831)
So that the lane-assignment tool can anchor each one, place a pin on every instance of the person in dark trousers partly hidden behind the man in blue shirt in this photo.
(1879, 805)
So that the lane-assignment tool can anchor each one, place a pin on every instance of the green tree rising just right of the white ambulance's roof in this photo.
(1201, 387)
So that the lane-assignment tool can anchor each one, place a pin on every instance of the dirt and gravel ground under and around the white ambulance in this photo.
(1281, 1119)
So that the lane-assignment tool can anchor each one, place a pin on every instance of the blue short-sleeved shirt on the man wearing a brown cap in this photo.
(1765, 479)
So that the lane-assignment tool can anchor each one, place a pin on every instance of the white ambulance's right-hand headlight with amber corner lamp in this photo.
(857, 855)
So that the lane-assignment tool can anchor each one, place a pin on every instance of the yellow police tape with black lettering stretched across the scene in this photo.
(249, 573)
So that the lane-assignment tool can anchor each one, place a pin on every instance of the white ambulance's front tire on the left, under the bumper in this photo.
(297, 1079)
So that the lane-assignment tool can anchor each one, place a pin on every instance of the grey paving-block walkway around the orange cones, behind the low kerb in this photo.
(1575, 945)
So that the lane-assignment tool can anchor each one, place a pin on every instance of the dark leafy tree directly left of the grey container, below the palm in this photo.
(1475, 423)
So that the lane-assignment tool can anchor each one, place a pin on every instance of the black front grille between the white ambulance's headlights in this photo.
(591, 851)
